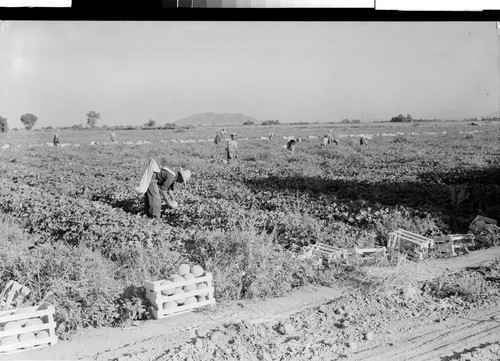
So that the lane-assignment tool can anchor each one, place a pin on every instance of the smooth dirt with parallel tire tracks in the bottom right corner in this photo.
(442, 340)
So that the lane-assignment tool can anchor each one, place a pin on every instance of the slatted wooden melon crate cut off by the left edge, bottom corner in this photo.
(44, 311)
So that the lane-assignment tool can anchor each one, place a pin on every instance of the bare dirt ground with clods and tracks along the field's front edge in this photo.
(369, 320)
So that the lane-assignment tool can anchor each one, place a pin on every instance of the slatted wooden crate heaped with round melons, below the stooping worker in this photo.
(154, 295)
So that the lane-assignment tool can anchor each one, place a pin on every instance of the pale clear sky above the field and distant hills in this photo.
(134, 71)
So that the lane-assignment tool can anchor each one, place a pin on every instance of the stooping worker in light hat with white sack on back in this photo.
(157, 183)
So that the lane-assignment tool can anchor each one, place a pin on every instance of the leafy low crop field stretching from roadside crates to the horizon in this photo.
(73, 224)
